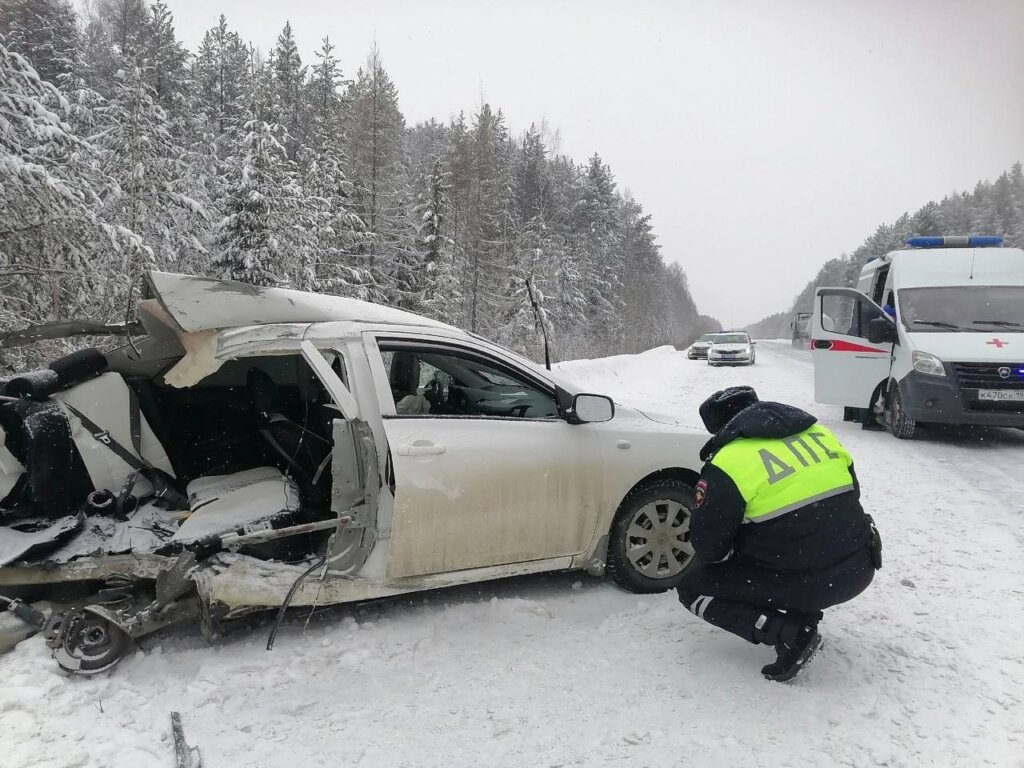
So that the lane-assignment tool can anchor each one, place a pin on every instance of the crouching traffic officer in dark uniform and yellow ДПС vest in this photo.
(779, 530)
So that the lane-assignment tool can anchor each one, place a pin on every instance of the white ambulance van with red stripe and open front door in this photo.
(933, 334)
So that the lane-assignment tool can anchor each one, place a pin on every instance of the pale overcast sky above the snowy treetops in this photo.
(764, 137)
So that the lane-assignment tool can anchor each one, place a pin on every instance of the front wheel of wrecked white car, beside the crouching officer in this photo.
(662, 507)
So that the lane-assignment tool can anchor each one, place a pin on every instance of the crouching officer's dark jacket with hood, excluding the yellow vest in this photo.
(814, 538)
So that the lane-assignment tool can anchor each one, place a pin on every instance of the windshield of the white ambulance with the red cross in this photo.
(963, 309)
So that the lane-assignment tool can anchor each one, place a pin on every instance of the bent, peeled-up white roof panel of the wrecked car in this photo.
(198, 304)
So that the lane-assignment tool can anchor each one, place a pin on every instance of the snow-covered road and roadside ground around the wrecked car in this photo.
(926, 669)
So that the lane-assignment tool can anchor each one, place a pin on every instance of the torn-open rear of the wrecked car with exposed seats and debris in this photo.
(124, 476)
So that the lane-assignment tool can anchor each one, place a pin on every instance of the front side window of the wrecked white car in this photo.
(448, 383)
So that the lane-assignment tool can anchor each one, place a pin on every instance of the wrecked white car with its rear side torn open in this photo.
(266, 448)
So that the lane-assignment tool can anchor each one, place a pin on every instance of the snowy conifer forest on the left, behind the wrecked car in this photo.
(121, 152)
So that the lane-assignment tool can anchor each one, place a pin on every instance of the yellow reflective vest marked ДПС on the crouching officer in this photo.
(778, 477)
